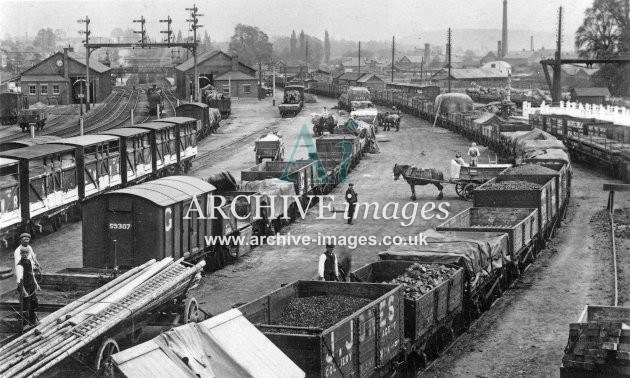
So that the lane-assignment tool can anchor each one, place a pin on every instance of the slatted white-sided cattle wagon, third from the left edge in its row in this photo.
(98, 163)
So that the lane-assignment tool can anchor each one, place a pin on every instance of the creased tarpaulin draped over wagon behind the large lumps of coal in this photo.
(480, 253)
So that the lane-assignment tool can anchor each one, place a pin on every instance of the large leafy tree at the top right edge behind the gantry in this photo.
(605, 33)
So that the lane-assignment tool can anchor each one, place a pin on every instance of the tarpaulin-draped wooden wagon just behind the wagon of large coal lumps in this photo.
(483, 255)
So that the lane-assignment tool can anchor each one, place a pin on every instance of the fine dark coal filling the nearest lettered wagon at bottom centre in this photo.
(321, 311)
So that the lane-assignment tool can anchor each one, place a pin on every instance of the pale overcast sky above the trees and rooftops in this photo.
(347, 19)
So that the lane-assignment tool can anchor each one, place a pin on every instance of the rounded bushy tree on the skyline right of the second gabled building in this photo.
(250, 44)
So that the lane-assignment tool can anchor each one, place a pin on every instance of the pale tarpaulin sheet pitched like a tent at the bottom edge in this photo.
(226, 345)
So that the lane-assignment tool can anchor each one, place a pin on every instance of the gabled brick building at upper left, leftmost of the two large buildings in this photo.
(60, 79)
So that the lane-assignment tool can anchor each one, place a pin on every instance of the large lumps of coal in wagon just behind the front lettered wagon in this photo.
(419, 279)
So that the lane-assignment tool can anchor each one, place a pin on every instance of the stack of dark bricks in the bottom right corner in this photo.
(597, 345)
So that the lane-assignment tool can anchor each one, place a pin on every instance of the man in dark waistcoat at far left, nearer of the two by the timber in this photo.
(27, 285)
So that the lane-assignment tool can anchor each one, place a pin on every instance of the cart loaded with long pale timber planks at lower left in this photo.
(90, 327)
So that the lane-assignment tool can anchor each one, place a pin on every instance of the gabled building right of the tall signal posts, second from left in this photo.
(221, 70)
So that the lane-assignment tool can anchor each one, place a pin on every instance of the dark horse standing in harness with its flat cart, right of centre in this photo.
(464, 177)
